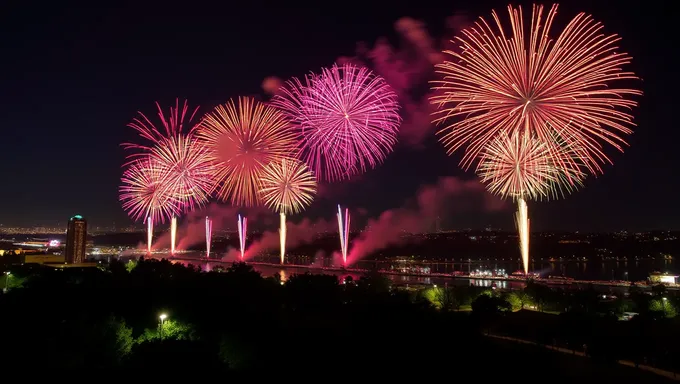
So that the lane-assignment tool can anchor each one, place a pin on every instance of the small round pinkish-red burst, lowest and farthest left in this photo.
(143, 193)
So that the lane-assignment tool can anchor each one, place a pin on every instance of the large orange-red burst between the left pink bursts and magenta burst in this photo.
(242, 138)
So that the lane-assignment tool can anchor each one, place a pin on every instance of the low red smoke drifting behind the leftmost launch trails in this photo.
(191, 229)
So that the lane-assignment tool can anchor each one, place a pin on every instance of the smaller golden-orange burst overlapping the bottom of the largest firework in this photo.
(519, 166)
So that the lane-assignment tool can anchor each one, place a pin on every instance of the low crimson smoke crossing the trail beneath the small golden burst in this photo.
(300, 233)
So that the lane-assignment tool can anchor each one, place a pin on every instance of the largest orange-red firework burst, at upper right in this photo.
(530, 82)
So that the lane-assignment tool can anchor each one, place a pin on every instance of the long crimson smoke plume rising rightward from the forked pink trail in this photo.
(448, 195)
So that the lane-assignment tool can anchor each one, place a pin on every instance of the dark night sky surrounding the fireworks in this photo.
(73, 75)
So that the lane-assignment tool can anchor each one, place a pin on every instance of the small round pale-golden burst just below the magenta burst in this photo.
(287, 186)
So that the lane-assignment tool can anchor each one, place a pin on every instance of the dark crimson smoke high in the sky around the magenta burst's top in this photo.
(407, 67)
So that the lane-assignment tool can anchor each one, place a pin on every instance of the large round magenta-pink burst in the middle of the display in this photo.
(347, 119)
